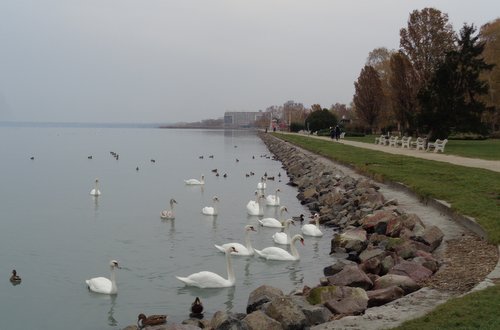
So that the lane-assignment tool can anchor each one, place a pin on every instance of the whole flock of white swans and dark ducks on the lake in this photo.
(206, 279)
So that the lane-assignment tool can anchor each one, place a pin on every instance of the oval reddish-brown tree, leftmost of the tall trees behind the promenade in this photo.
(368, 96)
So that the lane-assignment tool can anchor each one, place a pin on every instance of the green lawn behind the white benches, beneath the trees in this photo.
(484, 149)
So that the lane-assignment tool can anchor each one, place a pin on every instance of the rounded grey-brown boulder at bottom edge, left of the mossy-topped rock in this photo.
(286, 312)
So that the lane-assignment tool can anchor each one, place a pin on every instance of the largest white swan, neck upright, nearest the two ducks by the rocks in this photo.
(206, 279)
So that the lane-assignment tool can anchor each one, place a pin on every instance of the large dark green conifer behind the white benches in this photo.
(452, 98)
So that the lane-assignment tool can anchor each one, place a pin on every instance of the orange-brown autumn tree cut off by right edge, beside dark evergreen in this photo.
(490, 35)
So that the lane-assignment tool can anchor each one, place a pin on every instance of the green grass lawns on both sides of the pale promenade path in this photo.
(473, 192)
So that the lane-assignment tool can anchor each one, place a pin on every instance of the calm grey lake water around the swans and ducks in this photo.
(56, 235)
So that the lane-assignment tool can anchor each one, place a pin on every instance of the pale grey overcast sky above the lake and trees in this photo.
(168, 61)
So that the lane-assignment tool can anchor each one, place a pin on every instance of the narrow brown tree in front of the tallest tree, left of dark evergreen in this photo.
(403, 84)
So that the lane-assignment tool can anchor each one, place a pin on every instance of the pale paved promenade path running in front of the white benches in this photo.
(492, 165)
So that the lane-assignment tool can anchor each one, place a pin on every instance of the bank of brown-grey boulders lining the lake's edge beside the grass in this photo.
(382, 254)
